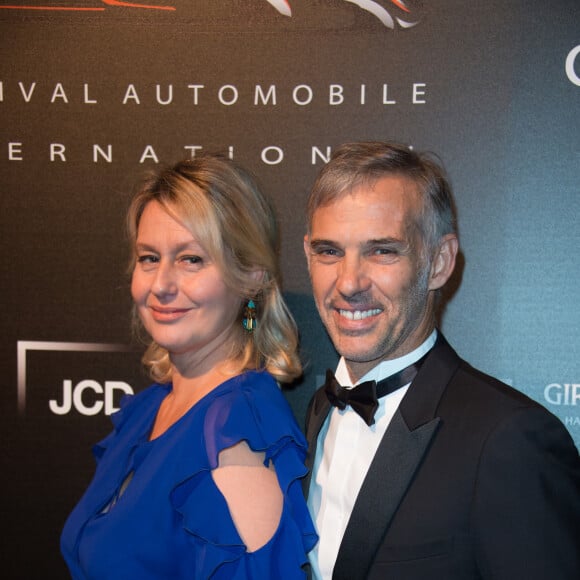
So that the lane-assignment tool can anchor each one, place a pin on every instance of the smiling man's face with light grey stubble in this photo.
(369, 279)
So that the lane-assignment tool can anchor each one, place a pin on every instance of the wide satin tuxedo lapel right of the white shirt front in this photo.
(398, 457)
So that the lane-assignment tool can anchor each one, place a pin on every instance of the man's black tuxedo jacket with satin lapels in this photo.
(472, 480)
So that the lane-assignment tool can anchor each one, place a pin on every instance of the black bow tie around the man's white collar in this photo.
(364, 397)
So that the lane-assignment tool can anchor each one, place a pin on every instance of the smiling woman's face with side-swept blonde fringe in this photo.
(179, 291)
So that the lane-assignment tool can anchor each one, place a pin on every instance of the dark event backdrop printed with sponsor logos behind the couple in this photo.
(94, 93)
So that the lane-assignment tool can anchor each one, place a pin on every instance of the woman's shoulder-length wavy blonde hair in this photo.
(223, 207)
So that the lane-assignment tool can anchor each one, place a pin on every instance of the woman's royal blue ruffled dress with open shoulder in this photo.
(171, 521)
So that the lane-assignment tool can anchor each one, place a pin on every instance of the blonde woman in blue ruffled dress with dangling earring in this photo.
(200, 477)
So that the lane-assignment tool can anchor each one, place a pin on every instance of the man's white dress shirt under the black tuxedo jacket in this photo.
(345, 450)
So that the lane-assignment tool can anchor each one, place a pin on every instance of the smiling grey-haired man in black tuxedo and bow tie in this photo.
(456, 475)
